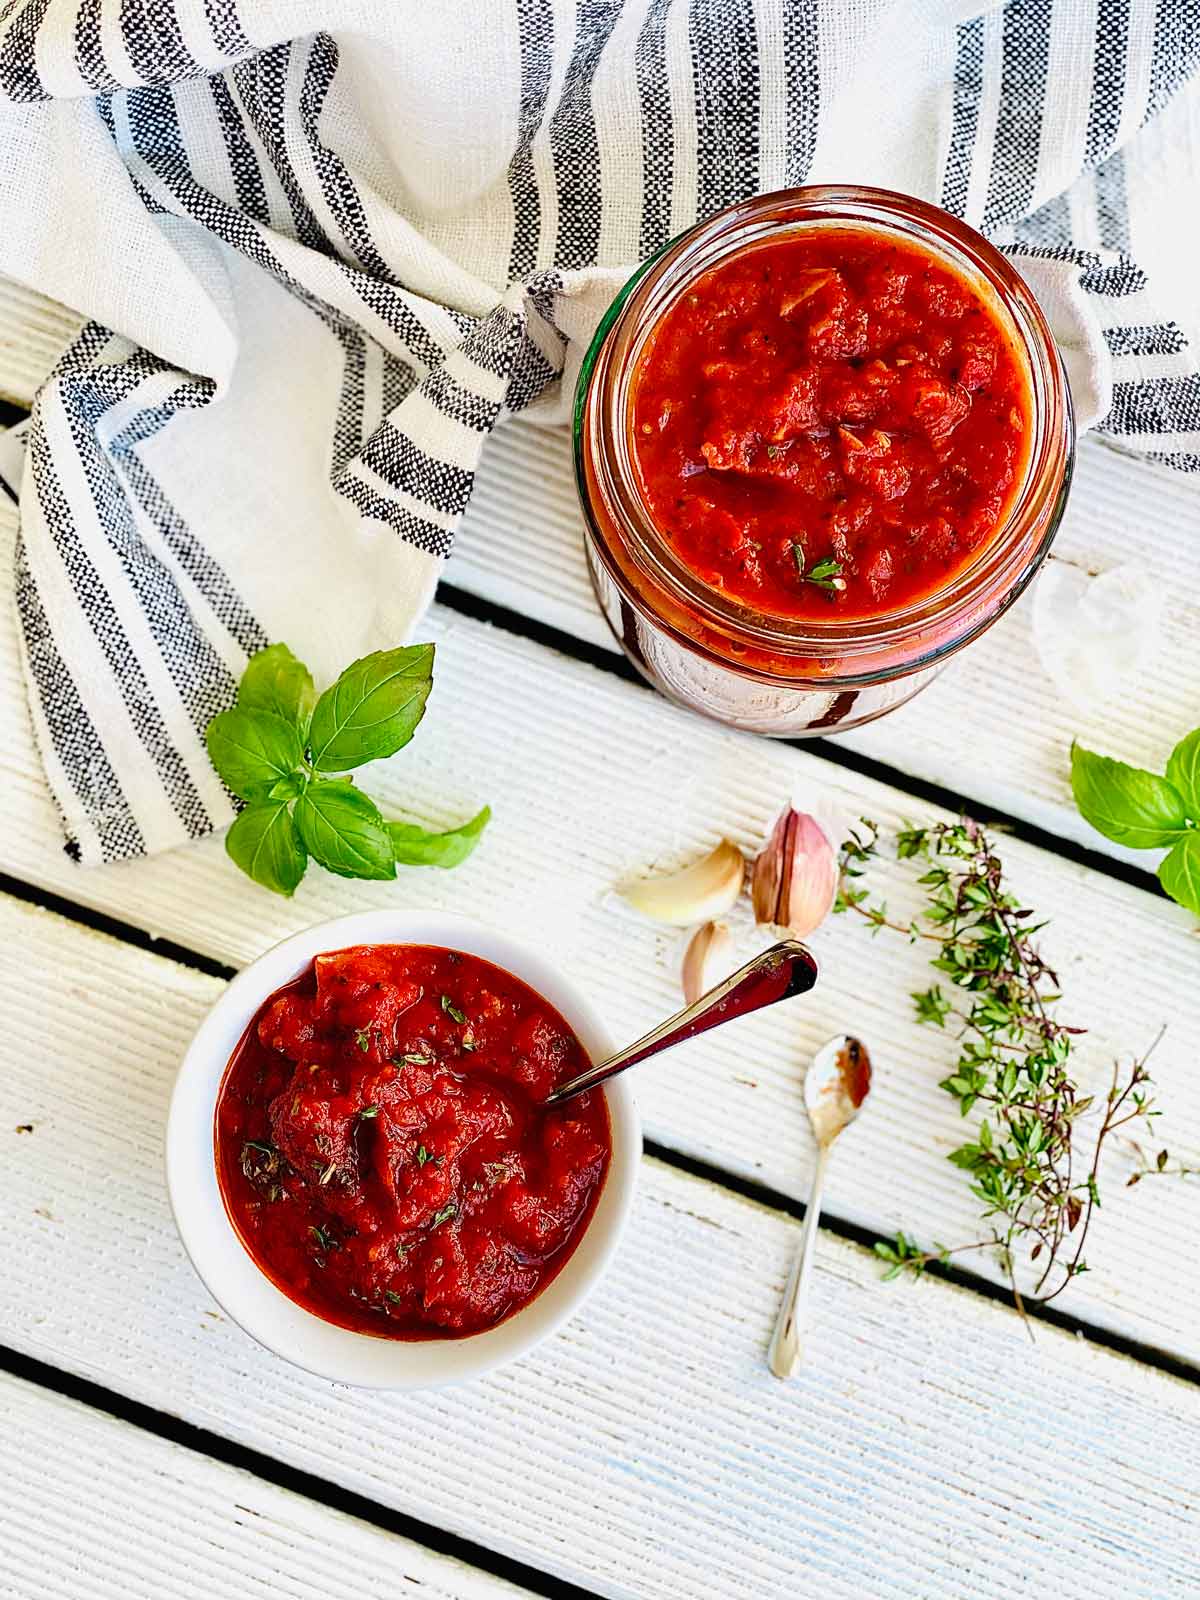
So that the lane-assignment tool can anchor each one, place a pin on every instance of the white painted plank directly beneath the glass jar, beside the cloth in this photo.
(993, 727)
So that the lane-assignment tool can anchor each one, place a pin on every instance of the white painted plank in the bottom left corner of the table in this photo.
(175, 1526)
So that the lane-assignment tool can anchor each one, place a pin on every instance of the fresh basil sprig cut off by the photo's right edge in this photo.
(1148, 812)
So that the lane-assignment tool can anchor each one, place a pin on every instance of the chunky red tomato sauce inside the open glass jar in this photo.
(831, 425)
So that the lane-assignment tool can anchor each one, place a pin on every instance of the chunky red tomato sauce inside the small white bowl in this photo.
(383, 1151)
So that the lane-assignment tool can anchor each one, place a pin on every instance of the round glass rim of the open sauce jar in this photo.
(1009, 559)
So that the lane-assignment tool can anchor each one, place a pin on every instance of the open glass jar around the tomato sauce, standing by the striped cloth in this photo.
(790, 676)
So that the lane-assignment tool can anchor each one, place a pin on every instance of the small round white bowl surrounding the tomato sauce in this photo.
(250, 1298)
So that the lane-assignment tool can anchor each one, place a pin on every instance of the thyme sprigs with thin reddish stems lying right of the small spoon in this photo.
(1038, 1190)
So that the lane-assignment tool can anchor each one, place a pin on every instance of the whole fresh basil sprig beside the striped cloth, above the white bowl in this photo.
(281, 748)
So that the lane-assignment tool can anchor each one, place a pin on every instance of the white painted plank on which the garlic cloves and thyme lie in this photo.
(593, 780)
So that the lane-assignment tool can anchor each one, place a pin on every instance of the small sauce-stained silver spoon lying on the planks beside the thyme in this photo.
(836, 1087)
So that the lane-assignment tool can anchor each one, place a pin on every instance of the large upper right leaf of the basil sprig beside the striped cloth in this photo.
(372, 710)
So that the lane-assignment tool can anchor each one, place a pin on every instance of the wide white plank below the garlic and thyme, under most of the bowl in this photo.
(924, 1450)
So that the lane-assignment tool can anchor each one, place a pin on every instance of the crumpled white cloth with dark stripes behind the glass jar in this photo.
(329, 244)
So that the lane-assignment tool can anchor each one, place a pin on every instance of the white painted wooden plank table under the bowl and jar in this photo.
(927, 1449)
